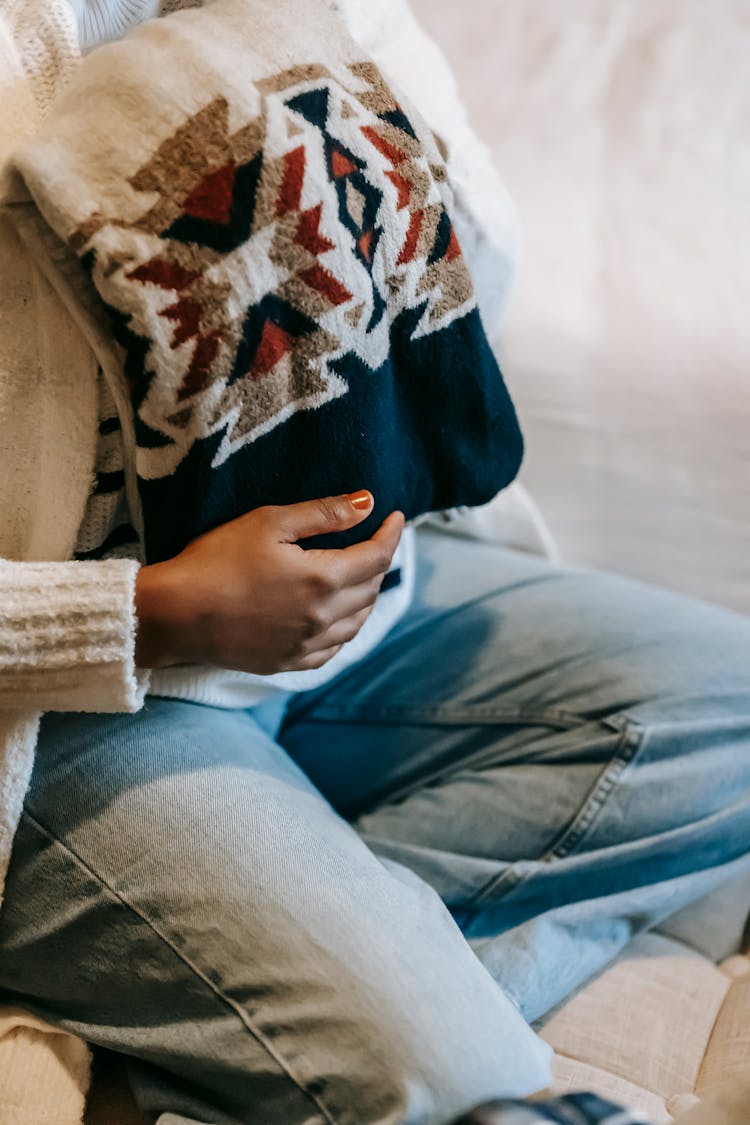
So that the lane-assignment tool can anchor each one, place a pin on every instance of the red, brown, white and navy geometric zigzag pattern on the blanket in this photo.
(266, 254)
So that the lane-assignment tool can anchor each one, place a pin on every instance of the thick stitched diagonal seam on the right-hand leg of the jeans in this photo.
(630, 741)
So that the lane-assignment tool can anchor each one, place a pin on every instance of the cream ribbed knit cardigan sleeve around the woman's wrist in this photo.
(68, 637)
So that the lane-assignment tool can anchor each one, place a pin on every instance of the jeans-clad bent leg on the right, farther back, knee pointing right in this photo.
(564, 755)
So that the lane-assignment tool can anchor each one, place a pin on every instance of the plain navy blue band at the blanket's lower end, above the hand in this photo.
(435, 428)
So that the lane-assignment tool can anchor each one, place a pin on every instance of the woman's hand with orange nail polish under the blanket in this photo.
(248, 597)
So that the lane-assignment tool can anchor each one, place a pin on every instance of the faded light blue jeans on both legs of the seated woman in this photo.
(339, 907)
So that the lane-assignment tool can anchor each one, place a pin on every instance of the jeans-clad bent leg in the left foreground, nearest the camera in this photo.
(180, 892)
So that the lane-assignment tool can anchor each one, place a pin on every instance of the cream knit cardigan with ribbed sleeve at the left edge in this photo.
(67, 629)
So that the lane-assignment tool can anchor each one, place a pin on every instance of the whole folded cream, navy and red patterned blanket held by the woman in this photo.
(269, 230)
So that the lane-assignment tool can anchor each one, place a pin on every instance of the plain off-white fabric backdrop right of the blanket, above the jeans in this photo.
(622, 129)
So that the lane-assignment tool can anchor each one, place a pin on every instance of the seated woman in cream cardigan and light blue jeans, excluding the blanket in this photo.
(409, 795)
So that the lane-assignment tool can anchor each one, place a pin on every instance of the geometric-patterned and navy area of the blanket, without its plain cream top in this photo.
(297, 316)
